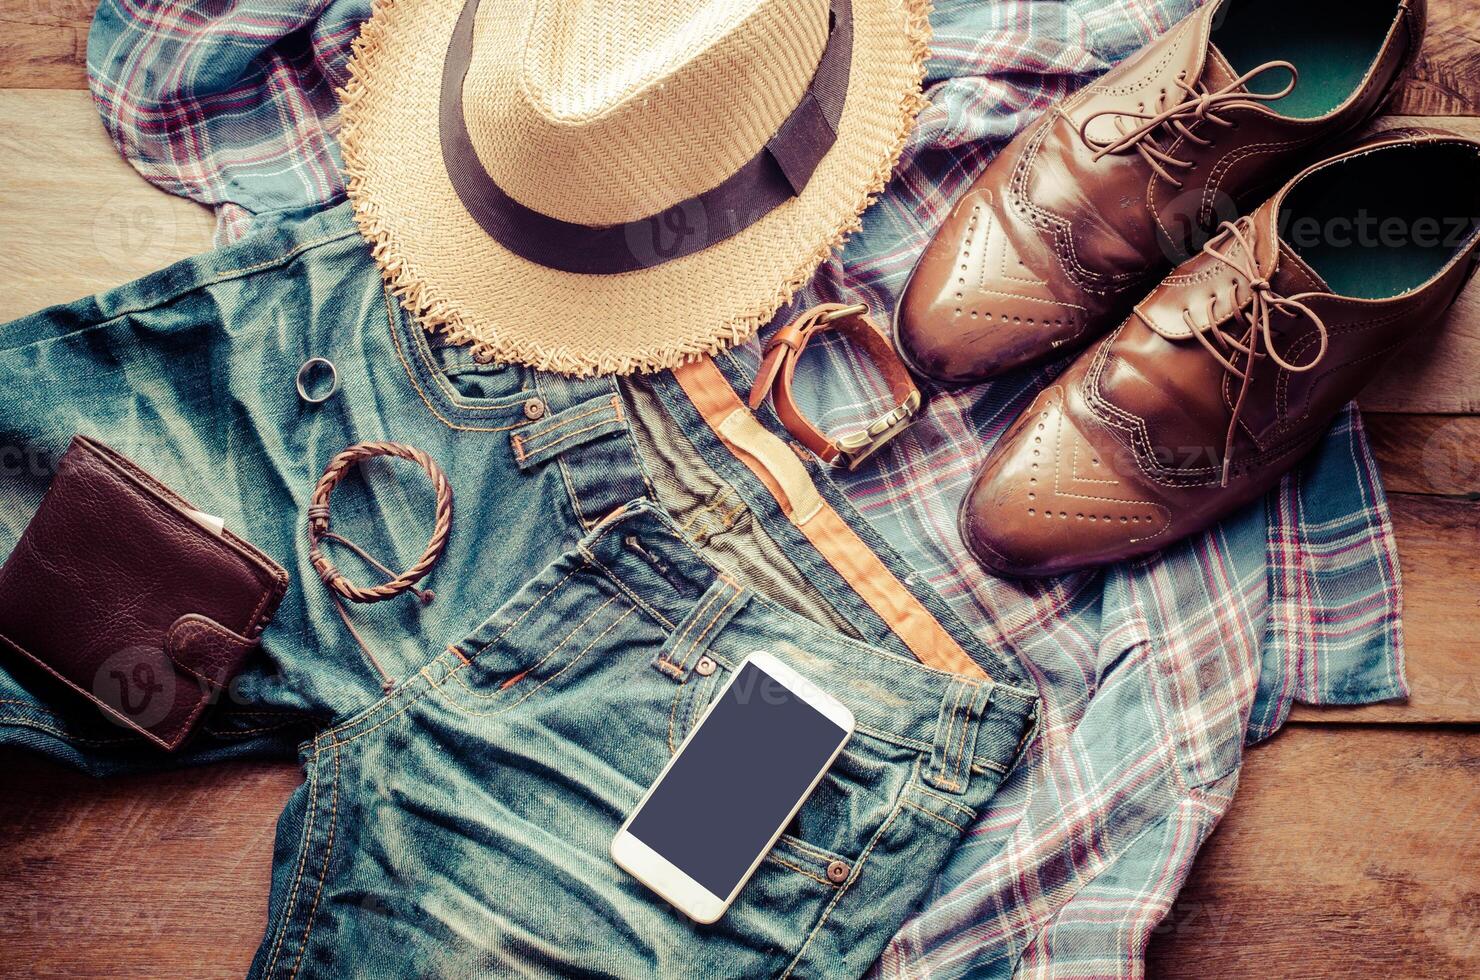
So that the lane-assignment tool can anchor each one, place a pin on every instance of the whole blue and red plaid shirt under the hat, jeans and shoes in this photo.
(1155, 673)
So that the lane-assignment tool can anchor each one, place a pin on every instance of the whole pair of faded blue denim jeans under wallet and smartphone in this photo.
(606, 537)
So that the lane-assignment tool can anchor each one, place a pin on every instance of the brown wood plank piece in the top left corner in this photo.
(44, 44)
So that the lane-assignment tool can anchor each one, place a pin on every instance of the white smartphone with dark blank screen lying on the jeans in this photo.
(735, 784)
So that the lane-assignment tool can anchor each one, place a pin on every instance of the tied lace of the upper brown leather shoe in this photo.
(1198, 104)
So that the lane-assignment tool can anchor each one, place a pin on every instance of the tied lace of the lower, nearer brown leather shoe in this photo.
(1254, 316)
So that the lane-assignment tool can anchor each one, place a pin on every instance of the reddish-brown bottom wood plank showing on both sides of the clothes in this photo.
(1358, 845)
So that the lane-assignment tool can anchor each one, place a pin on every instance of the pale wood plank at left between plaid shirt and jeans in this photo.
(75, 218)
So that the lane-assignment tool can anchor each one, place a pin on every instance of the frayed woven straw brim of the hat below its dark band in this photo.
(458, 281)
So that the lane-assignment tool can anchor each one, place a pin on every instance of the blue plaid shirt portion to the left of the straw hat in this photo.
(233, 104)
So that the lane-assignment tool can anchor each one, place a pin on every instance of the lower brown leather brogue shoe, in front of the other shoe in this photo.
(1164, 427)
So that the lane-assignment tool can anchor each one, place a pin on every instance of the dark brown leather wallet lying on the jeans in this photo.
(125, 593)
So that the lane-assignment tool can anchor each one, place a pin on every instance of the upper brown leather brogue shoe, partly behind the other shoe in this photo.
(1087, 209)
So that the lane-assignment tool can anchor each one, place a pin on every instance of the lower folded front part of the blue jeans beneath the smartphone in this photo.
(470, 818)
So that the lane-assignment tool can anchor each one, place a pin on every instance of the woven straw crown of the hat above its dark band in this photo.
(597, 127)
